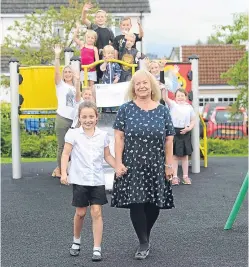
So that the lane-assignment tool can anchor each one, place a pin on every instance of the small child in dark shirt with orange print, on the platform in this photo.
(128, 54)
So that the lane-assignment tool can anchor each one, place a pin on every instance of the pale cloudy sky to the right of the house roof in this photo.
(183, 22)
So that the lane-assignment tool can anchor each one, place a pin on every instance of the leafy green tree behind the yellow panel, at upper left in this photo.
(32, 41)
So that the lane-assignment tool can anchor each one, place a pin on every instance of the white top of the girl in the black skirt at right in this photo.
(181, 114)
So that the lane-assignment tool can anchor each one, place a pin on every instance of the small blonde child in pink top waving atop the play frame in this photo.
(88, 52)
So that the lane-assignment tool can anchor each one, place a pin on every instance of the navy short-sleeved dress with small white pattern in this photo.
(144, 156)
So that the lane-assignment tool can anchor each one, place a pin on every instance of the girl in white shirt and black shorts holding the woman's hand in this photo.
(88, 146)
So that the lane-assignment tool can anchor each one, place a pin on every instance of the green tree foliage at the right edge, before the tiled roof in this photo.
(236, 34)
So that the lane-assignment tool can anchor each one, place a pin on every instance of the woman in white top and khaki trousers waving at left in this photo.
(65, 92)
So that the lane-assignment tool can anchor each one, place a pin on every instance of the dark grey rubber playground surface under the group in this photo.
(37, 222)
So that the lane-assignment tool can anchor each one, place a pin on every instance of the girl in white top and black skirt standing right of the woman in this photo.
(183, 118)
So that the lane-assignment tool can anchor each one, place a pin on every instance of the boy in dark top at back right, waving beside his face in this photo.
(125, 26)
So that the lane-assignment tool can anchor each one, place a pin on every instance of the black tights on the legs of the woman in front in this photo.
(143, 217)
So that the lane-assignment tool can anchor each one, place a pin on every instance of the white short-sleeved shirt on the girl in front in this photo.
(87, 156)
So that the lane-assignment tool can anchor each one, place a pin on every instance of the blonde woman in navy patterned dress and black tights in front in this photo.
(144, 145)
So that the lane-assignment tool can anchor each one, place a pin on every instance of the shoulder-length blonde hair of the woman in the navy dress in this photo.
(155, 90)
